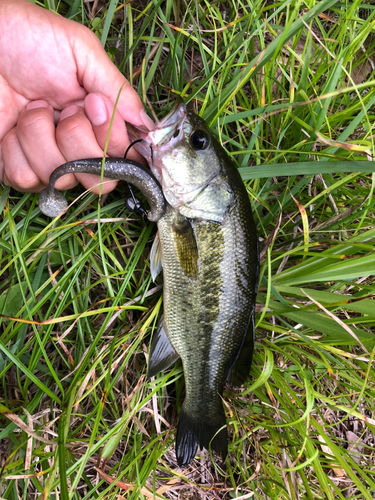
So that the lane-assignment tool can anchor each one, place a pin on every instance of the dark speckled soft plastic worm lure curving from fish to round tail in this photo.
(52, 202)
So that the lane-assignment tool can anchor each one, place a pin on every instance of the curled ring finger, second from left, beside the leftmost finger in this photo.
(36, 134)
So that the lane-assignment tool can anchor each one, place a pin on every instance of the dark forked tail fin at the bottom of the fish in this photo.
(194, 432)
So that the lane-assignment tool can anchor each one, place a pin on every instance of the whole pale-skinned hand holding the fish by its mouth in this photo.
(58, 89)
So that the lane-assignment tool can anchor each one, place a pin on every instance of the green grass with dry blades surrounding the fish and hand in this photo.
(288, 88)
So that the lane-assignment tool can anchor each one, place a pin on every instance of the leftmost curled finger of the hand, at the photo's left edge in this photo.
(15, 170)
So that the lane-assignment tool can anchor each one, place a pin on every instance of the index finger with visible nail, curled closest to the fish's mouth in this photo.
(99, 110)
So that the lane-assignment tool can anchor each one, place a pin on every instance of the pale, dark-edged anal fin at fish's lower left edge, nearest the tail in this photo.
(162, 355)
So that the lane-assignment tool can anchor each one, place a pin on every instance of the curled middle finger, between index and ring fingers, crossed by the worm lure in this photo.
(76, 140)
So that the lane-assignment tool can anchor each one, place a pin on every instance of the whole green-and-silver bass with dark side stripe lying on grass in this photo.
(207, 247)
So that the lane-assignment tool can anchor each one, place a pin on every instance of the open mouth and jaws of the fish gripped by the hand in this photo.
(166, 129)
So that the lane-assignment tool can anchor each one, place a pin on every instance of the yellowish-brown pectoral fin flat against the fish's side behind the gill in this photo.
(186, 246)
